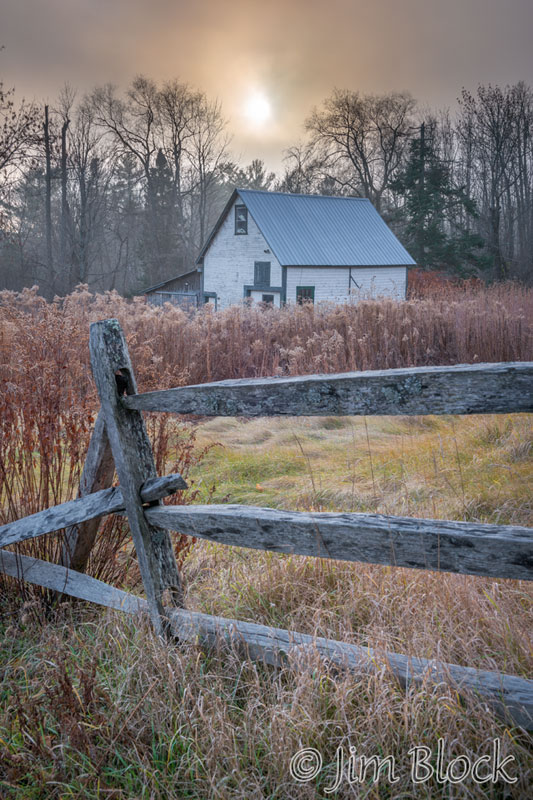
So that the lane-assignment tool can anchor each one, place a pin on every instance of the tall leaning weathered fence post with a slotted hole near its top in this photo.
(134, 464)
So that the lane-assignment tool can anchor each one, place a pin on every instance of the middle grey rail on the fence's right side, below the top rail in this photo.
(467, 548)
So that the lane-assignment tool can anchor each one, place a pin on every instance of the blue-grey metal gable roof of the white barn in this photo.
(317, 230)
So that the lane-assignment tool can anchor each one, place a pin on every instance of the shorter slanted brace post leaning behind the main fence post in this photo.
(98, 473)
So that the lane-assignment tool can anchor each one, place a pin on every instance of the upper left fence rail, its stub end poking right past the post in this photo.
(93, 506)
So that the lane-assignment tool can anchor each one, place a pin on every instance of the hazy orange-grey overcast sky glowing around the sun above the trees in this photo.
(289, 52)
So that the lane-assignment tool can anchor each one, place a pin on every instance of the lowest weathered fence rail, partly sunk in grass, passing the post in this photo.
(511, 697)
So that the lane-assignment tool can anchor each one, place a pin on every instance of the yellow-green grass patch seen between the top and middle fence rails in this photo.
(472, 468)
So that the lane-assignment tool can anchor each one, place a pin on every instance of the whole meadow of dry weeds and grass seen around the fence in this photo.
(93, 705)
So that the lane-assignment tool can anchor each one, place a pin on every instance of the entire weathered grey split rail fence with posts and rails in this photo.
(120, 442)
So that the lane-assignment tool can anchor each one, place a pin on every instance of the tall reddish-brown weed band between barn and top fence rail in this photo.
(172, 347)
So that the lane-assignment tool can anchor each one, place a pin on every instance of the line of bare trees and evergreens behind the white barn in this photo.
(119, 190)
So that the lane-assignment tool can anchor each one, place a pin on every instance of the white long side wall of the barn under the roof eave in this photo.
(331, 283)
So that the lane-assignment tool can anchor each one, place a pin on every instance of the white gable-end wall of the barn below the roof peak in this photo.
(229, 261)
